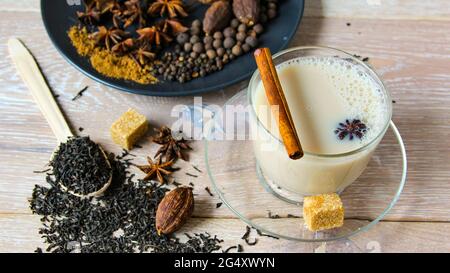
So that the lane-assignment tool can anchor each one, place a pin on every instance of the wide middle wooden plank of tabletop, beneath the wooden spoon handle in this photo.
(415, 72)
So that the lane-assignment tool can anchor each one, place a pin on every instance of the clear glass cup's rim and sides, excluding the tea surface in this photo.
(313, 174)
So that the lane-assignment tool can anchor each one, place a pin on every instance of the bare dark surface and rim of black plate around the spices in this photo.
(59, 16)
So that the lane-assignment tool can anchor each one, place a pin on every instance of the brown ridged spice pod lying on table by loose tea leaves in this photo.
(174, 210)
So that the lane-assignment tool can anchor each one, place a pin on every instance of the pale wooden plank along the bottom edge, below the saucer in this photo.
(19, 234)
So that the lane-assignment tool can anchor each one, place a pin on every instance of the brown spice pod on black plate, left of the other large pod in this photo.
(217, 17)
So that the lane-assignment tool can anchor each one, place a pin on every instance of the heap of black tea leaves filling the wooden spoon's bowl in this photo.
(80, 166)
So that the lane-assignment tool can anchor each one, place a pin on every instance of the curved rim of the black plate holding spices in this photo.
(207, 89)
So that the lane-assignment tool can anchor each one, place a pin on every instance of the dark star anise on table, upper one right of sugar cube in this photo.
(171, 147)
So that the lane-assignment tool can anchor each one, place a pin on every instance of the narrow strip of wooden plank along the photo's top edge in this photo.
(382, 9)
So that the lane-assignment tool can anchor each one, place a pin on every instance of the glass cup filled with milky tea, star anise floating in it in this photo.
(341, 111)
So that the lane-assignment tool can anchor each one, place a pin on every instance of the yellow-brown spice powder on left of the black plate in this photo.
(107, 63)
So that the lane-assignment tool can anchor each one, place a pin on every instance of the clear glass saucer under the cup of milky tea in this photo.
(237, 180)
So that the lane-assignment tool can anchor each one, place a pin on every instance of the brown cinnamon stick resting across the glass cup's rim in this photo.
(275, 96)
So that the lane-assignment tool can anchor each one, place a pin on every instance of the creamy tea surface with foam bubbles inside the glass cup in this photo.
(322, 94)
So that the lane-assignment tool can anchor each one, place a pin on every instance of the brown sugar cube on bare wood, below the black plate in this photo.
(126, 130)
